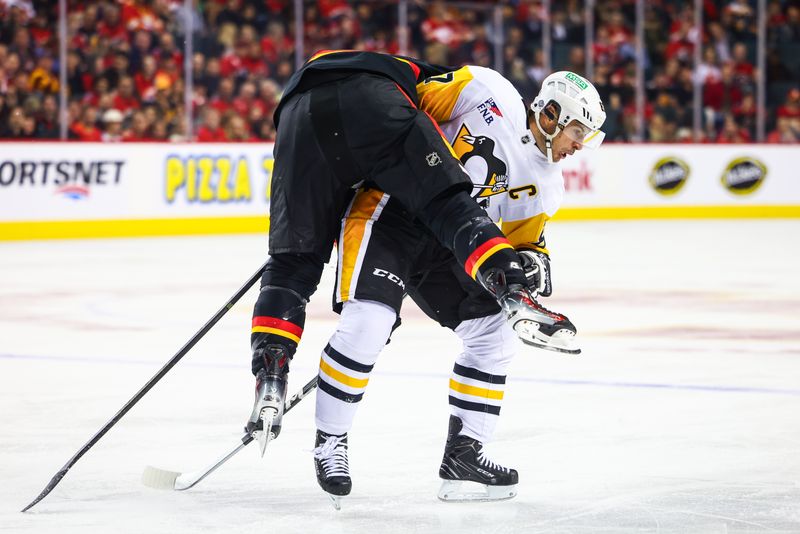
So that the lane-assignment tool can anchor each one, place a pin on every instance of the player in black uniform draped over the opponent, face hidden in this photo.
(349, 119)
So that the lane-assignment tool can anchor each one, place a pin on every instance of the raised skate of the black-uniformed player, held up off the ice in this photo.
(536, 325)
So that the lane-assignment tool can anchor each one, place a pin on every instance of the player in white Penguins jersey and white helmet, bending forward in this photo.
(511, 153)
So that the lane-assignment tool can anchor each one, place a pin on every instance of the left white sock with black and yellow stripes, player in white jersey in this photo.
(347, 360)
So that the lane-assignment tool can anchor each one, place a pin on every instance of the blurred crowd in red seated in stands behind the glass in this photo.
(125, 62)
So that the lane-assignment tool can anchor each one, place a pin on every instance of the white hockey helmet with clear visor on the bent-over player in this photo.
(576, 100)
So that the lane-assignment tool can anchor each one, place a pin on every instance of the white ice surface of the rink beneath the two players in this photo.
(681, 415)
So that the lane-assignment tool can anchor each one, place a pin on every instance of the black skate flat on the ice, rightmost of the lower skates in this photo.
(465, 462)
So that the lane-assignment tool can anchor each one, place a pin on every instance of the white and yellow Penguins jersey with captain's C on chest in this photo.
(484, 118)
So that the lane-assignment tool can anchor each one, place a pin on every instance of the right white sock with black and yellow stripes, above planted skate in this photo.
(478, 381)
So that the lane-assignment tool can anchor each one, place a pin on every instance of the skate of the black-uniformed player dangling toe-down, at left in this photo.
(265, 420)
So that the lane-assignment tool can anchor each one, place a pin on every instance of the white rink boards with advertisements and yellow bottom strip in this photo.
(64, 190)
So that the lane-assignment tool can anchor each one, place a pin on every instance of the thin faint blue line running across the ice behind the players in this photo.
(550, 381)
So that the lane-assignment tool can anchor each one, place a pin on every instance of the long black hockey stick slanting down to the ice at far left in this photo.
(152, 382)
